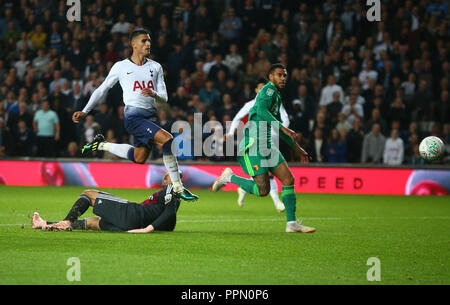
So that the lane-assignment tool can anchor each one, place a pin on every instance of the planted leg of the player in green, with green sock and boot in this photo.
(284, 174)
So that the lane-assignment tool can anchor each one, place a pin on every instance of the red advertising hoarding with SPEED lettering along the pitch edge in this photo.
(339, 180)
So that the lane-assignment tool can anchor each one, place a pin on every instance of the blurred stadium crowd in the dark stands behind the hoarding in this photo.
(358, 91)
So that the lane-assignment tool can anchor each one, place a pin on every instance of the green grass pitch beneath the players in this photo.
(216, 242)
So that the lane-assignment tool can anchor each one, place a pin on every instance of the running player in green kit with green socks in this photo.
(257, 155)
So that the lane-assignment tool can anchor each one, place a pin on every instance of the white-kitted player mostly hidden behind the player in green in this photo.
(242, 115)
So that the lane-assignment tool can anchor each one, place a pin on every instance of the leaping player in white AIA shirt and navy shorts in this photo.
(143, 85)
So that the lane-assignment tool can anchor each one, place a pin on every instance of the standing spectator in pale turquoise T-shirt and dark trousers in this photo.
(47, 129)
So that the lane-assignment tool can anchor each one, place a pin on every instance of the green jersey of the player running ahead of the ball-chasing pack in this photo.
(267, 109)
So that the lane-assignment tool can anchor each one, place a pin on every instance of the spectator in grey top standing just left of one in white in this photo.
(373, 145)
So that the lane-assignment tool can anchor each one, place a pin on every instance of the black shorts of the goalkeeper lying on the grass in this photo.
(118, 214)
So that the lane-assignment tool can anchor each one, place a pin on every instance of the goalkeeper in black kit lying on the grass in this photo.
(158, 212)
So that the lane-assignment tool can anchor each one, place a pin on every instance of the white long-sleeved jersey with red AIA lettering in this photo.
(132, 79)
